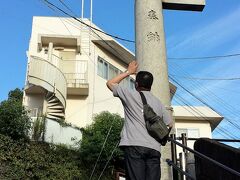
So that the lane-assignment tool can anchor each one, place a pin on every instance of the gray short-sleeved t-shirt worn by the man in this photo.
(134, 132)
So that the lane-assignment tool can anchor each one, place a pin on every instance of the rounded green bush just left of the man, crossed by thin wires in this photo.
(93, 139)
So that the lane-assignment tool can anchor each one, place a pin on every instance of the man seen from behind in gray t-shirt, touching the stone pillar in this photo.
(141, 151)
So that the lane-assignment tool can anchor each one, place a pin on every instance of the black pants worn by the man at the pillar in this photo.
(141, 163)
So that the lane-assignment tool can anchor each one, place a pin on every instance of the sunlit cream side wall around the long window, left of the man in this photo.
(101, 97)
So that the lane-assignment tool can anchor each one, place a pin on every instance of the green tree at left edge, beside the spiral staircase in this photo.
(13, 117)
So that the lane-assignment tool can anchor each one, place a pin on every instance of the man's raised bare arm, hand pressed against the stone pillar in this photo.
(132, 69)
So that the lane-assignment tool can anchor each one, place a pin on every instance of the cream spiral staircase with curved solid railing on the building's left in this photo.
(46, 79)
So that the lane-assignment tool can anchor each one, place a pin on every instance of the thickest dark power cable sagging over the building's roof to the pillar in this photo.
(93, 28)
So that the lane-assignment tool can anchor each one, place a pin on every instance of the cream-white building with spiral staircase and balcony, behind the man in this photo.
(68, 65)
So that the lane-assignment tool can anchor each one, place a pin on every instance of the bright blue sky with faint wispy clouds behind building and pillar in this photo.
(215, 31)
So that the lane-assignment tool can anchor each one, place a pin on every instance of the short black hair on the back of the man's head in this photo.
(144, 79)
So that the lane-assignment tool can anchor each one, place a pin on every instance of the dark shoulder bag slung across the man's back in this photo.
(154, 123)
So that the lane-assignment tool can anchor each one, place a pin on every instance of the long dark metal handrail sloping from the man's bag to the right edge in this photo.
(205, 157)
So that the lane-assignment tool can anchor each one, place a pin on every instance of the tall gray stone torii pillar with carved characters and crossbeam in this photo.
(151, 51)
